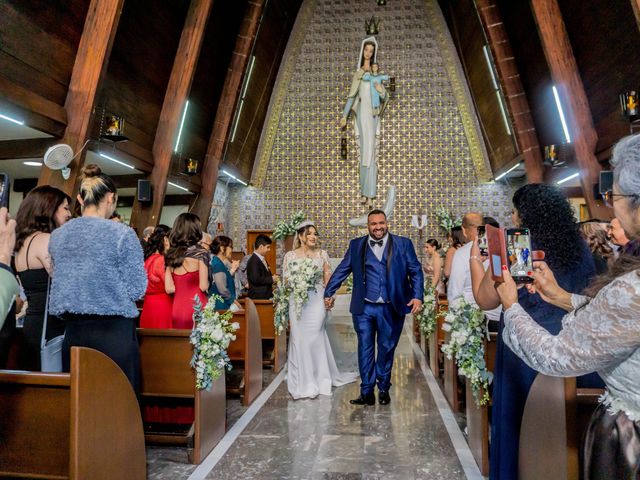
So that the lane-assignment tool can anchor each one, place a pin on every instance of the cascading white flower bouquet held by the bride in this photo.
(302, 276)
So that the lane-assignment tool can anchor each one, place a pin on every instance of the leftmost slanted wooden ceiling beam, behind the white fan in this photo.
(94, 49)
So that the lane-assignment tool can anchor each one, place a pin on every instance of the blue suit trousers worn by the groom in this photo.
(378, 320)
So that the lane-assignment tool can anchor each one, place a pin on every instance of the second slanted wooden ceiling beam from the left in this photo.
(182, 73)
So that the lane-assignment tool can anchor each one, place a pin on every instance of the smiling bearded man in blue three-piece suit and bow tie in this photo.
(387, 285)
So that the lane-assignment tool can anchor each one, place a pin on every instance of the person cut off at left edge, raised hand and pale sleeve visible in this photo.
(9, 287)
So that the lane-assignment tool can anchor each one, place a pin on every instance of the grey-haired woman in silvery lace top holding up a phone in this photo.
(601, 333)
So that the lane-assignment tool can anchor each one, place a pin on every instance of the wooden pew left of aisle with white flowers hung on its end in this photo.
(166, 375)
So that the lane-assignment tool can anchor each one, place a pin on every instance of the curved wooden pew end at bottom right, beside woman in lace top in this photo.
(555, 417)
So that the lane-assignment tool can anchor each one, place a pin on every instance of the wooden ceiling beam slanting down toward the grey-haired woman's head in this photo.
(566, 76)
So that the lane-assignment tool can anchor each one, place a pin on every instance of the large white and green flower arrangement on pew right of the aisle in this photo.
(467, 328)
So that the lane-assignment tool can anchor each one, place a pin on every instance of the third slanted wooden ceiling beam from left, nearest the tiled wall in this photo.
(226, 108)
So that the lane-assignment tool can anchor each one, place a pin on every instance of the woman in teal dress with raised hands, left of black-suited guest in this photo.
(223, 269)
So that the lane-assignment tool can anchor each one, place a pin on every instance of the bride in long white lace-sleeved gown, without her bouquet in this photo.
(311, 366)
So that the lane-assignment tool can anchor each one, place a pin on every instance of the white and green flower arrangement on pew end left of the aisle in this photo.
(212, 332)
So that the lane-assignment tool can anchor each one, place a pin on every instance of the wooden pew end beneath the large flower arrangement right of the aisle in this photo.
(478, 417)
